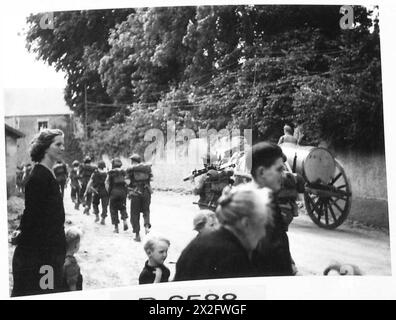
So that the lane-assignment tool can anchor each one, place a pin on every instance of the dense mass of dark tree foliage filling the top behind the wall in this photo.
(220, 67)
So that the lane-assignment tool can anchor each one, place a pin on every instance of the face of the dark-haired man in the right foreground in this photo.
(270, 177)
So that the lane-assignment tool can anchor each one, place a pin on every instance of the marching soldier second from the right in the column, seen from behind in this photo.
(117, 190)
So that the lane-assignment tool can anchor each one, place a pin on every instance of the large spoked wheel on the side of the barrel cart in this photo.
(328, 207)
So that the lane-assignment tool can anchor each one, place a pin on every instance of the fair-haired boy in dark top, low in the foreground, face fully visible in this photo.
(154, 270)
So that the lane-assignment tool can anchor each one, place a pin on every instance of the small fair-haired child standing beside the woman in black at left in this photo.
(72, 278)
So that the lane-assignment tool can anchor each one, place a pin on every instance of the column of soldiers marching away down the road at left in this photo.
(94, 184)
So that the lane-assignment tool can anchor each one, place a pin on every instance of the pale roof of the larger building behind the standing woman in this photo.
(34, 101)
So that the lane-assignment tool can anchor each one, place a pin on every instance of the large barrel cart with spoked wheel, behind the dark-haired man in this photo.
(328, 191)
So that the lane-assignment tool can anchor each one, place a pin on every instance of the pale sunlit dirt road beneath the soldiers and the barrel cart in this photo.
(113, 260)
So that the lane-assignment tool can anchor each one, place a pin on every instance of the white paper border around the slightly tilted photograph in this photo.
(315, 287)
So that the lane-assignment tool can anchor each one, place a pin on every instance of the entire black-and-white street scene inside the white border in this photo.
(164, 144)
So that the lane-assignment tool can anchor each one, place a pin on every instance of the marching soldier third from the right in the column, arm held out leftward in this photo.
(97, 185)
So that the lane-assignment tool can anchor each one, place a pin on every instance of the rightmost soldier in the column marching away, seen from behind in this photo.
(139, 175)
